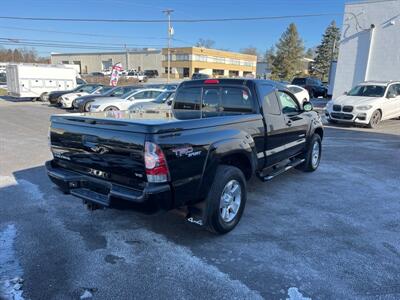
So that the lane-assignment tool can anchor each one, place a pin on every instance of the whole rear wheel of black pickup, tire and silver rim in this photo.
(226, 199)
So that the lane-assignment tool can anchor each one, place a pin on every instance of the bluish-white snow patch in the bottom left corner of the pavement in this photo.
(10, 269)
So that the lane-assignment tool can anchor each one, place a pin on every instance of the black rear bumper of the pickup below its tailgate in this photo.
(106, 193)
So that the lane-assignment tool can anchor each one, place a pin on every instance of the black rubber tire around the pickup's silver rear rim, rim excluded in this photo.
(224, 175)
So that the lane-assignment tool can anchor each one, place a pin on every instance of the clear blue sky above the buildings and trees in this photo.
(103, 36)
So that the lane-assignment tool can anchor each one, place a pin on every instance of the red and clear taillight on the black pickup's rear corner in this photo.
(155, 162)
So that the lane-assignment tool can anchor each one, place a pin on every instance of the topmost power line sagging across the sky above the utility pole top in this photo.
(165, 21)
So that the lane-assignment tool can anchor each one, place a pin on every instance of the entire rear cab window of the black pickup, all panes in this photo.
(214, 101)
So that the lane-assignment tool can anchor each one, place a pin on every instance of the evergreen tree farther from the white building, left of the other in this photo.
(287, 63)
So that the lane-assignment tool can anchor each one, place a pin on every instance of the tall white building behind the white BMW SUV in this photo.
(370, 43)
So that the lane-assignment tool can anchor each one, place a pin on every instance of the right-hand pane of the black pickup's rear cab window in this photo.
(236, 101)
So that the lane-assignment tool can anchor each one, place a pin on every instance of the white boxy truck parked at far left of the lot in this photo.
(36, 81)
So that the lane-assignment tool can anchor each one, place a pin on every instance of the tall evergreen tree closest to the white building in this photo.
(327, 51)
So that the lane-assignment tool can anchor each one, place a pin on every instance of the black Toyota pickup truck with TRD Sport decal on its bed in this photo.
(195, 158)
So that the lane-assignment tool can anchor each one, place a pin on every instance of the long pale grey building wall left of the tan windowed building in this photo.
(92, 62)
